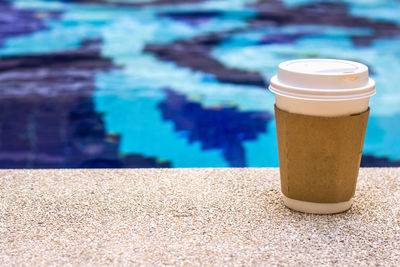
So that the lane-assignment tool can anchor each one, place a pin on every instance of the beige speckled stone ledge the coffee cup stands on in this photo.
(189, 217)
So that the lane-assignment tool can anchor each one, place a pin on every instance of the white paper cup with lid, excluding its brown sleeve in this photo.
(322, 87)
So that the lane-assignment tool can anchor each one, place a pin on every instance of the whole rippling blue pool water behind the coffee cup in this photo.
(186, 83)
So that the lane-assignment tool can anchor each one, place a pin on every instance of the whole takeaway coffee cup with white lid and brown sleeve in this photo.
(321, 113)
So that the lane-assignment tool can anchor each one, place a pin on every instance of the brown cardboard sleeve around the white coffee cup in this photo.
(319, 157)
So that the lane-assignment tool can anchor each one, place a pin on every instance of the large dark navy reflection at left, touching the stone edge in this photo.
(47, 116)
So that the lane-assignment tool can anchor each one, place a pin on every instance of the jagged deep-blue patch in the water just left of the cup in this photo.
(224, 128)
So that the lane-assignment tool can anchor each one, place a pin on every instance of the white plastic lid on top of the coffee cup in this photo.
(322, 79)
